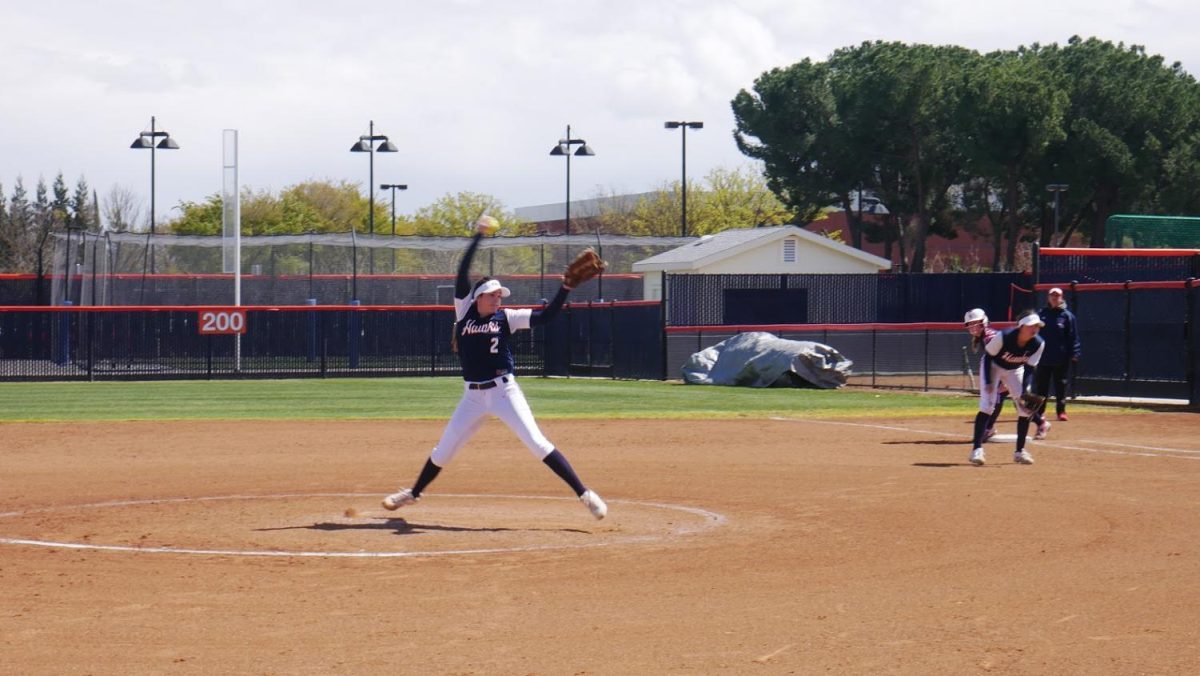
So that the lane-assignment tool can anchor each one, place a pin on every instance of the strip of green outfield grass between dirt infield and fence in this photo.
(436, 398)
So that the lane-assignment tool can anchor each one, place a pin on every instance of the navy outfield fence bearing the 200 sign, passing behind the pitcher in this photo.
(619, 340)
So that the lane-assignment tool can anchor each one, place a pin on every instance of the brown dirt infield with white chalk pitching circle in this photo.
(748, 547)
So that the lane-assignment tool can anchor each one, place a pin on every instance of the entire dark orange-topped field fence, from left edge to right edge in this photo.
(1139, 340)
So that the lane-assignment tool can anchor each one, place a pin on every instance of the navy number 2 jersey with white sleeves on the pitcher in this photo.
(485, 343)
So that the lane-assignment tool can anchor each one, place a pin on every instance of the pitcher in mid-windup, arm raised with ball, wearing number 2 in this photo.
(482, 336)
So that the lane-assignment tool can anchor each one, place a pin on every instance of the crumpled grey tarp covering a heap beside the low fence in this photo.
(759, 360)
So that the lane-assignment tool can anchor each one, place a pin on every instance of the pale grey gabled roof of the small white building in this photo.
(715, 248)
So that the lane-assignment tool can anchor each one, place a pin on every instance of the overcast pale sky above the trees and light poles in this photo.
(473, 93)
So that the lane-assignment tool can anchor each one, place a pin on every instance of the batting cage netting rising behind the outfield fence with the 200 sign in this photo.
(130, 270)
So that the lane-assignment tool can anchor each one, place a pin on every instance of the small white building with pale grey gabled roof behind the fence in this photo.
(783, 250)
